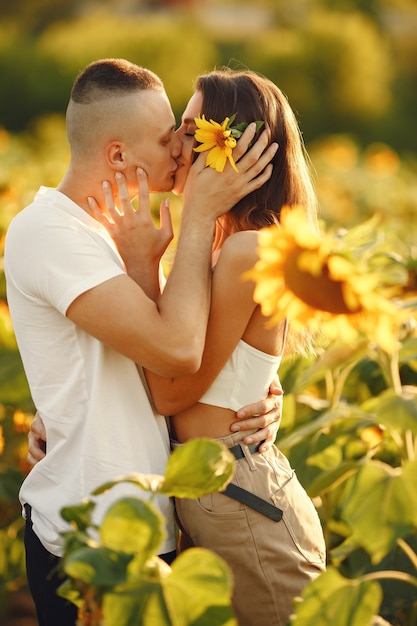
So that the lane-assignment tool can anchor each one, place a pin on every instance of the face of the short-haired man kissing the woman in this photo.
(152, 142)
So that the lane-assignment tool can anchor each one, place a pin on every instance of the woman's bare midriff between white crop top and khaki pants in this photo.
(202, 420)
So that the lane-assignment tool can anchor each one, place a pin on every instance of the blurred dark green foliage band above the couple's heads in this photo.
(346, 65)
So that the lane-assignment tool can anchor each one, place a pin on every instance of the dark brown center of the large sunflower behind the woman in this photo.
(318, 292)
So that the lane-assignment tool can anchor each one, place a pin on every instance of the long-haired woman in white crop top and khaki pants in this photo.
(274, 545)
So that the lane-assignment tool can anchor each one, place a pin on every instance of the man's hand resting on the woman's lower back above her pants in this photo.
(264, 415)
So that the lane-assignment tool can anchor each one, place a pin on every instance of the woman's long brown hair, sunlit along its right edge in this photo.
(253, 97)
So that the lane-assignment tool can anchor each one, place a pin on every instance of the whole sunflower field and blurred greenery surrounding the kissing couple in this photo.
(349, 422)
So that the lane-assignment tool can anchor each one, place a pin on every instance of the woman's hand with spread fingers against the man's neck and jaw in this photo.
(139, 242)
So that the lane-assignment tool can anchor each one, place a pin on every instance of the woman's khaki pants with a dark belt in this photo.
(271, 561)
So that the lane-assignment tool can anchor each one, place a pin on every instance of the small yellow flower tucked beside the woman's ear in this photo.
(218, 140)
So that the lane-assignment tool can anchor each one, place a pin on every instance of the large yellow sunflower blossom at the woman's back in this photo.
(317, 282)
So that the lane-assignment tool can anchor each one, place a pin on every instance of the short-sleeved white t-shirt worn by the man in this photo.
(94, 402)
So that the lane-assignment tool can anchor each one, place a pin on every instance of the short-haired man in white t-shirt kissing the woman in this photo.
(82, 323)
